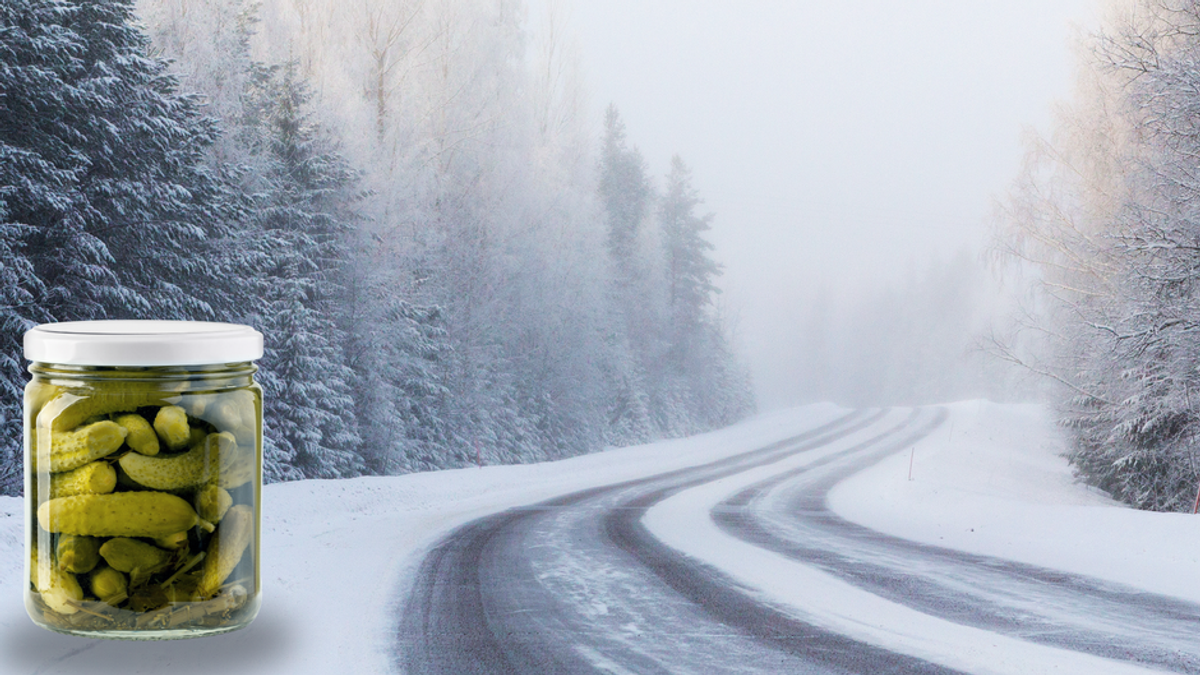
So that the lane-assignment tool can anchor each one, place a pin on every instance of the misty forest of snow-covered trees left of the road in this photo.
(404, 196)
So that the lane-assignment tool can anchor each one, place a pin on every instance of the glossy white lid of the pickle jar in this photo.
(142, 343)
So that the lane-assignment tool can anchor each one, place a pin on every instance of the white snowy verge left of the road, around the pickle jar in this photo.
(338, 554)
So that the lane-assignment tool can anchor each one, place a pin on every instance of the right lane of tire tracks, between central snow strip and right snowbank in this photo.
(1022, 601)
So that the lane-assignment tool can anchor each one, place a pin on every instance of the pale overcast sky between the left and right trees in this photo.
(835, 141)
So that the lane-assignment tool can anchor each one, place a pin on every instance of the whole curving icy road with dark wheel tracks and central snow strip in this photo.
(739, 566)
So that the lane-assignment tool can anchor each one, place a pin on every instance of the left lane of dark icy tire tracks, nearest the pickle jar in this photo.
(478, 605)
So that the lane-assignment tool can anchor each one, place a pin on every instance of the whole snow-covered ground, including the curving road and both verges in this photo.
(759, 548)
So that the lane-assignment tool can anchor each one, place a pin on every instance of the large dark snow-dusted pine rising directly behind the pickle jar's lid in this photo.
(149, 212)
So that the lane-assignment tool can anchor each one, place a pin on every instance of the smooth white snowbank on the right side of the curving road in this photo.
(993, 481)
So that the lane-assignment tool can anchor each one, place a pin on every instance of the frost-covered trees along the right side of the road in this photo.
(1108, 213)
